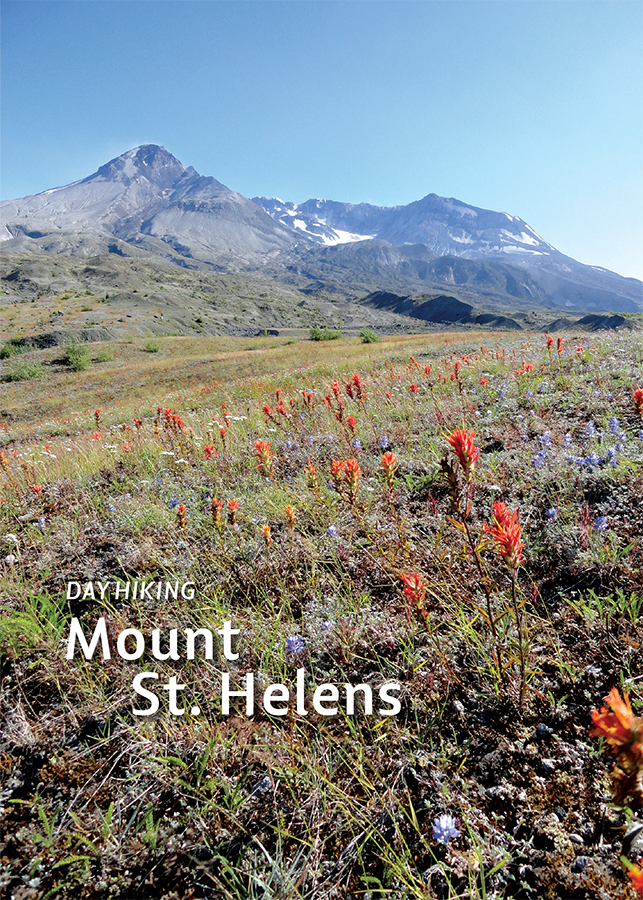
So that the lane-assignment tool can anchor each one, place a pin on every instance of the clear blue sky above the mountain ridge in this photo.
(532, 108)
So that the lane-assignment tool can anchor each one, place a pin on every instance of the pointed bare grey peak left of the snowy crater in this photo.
(144, 200)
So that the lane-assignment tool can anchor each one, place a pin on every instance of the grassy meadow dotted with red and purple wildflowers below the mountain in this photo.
(340, 503)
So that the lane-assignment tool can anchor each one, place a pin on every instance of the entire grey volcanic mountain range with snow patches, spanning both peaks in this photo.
(147, 203)
